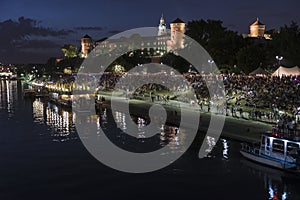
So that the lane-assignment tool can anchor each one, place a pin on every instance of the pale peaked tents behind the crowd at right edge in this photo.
(294, 71)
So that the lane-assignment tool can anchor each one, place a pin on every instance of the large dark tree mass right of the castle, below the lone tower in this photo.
(232, 52)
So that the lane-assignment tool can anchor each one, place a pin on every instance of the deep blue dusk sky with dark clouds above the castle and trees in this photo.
(33, 31)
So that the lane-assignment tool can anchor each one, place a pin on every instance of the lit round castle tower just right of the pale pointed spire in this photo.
(177, 34)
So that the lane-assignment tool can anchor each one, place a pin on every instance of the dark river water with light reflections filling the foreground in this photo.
(42, 157)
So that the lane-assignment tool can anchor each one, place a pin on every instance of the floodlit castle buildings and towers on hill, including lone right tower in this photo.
(163, 42)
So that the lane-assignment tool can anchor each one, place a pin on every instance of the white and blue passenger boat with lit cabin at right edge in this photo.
(276, 150)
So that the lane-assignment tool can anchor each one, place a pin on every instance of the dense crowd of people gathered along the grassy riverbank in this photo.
(261, 97)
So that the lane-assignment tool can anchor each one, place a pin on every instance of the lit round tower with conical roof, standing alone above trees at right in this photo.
(257, 30)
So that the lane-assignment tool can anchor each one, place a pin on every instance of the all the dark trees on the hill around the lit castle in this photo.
(229, 50)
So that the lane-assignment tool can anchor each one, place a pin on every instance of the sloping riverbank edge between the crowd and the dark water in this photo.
(236, 128)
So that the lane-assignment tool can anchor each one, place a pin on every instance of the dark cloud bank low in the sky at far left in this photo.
(27, 35)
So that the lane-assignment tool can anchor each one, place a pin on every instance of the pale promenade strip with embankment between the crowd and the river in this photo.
(237, 127)
